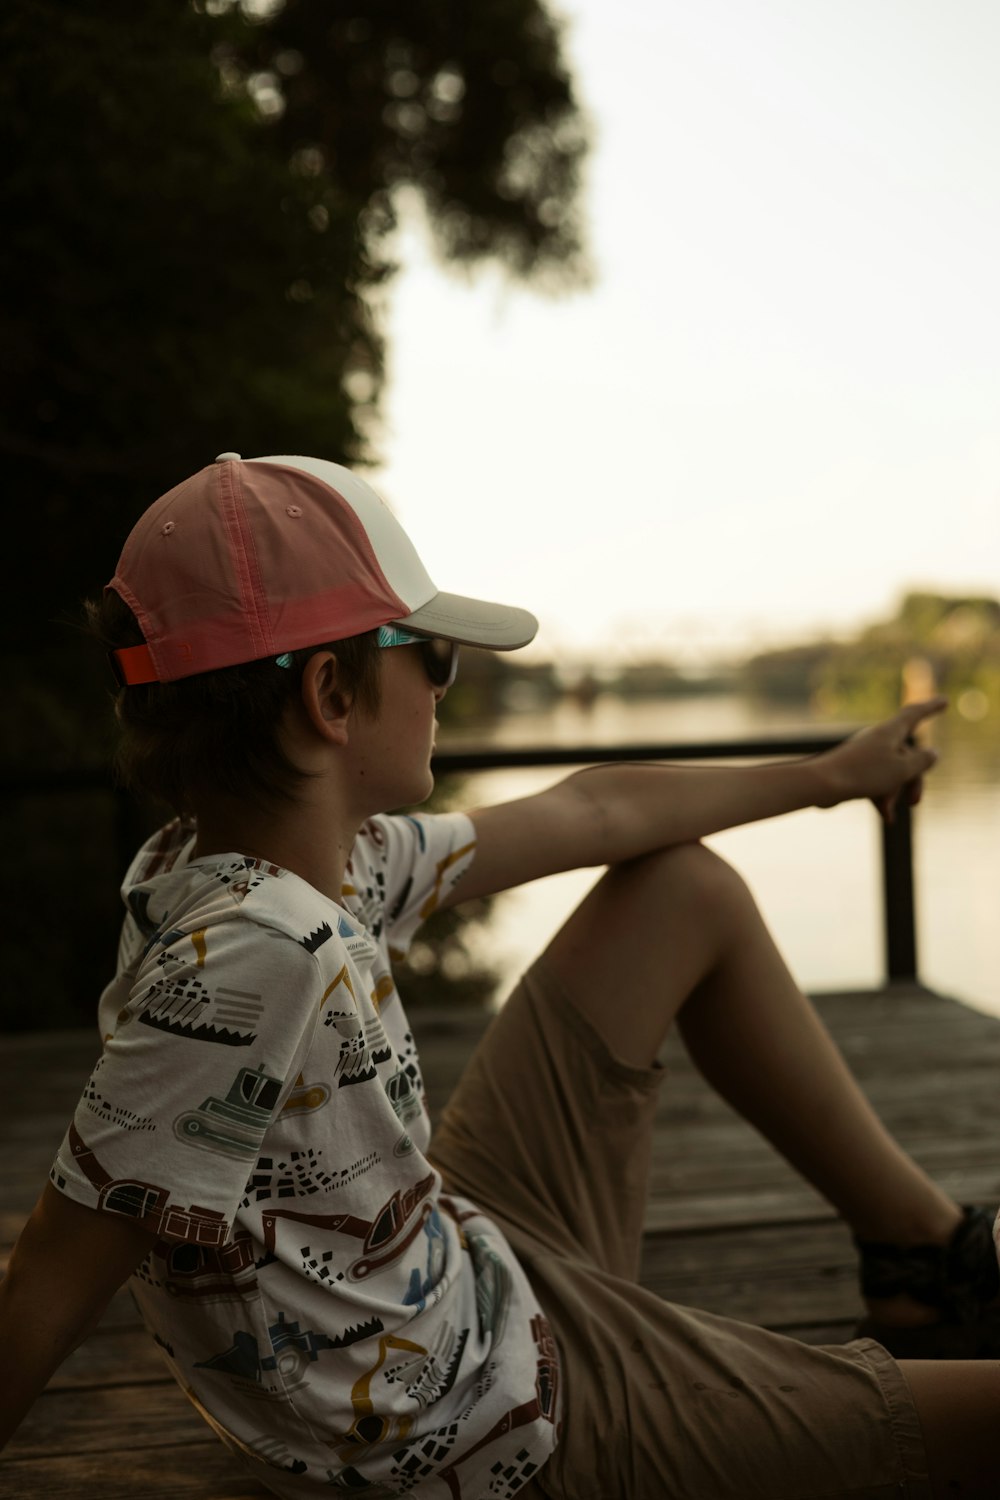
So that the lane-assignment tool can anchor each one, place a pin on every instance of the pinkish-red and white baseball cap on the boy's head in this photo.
(257, 557)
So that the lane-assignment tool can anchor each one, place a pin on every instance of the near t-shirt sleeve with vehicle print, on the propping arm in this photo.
(203, 1057)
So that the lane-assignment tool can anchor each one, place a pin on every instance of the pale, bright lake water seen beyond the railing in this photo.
(816, 875)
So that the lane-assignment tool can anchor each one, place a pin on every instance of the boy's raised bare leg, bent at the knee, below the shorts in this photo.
(677, 935)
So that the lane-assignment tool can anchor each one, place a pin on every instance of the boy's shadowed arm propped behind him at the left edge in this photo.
(65, 1268)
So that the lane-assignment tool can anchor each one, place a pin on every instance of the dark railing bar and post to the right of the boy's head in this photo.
(897, 842)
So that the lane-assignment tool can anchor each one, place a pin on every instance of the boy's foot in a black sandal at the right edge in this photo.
(935, 1301)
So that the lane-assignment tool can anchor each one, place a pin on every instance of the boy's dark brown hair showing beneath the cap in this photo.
(218, 733)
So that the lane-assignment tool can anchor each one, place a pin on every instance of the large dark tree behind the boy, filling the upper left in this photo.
(199, 211)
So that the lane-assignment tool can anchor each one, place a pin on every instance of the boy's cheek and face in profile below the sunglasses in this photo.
(391, 751)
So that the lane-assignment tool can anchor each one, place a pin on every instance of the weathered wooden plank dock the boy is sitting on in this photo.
(729, 1226)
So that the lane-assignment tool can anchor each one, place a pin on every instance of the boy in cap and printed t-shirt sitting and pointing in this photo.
(352, 1306)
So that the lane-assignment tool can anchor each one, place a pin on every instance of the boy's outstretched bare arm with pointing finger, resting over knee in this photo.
(617, 812)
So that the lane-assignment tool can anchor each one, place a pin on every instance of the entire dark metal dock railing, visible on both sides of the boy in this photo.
(131, 826)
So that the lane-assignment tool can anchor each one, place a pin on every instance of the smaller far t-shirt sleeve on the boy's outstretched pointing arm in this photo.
(424, 859)
